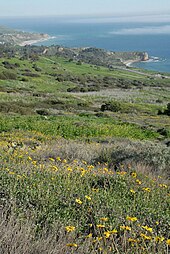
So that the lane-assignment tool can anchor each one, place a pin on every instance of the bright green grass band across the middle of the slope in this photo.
(71, 127)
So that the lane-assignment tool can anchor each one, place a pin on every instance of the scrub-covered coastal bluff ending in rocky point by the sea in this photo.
(96, 56)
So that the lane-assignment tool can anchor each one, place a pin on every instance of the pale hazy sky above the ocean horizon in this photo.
(81, 7)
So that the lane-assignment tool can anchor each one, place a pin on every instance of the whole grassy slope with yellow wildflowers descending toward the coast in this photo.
(112, 162)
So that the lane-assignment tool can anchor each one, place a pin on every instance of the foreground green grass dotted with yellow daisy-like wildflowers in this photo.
(99, 210)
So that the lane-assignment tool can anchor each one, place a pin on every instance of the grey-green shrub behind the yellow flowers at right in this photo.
(155, 156)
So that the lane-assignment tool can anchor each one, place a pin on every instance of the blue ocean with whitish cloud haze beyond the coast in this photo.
(153, 38)
